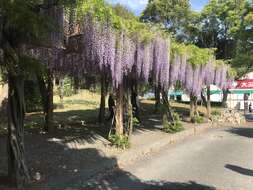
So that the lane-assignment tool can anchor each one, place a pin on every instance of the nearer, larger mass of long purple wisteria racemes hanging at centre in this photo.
(104, 48)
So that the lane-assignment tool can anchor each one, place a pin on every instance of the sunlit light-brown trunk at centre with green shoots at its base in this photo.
(119, 111)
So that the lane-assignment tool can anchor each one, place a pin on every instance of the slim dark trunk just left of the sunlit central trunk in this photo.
(101, 116)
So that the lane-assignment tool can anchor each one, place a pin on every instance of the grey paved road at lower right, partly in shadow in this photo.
(220, 159)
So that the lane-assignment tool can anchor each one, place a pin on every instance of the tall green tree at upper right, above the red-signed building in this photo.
(220, 20)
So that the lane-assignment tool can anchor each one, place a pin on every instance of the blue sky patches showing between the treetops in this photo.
(137, 6)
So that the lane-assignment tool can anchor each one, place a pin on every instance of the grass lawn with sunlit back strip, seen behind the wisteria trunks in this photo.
(84, 108)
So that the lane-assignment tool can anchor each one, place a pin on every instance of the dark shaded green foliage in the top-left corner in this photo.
(23, 23)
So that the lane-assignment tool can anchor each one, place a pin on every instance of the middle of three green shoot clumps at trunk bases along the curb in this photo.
(175, 127)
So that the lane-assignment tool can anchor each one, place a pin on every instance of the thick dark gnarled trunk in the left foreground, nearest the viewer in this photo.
(17, 170)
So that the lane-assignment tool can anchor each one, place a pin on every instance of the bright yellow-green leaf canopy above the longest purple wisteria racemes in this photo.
(121, 19)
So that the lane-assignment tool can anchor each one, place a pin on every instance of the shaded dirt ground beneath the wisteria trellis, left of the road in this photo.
(79, 143)
